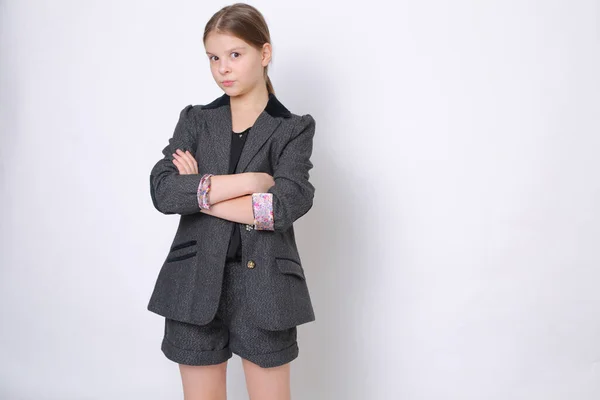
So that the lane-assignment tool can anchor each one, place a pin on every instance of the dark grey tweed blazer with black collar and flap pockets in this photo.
(188, 286)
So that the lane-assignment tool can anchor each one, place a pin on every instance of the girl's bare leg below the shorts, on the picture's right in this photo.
(267, 383)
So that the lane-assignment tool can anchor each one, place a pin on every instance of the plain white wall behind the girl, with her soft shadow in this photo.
(452, 248)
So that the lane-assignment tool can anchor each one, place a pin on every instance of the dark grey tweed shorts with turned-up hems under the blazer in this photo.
(229, 332)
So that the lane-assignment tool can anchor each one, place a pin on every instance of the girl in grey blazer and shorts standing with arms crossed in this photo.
(237, 172)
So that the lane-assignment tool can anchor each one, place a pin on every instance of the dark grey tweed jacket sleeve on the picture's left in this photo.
(171, 192)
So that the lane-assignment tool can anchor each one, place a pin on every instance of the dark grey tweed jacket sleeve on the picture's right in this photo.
(292, 195)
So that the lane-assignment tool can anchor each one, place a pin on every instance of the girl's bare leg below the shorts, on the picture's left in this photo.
(204, 382)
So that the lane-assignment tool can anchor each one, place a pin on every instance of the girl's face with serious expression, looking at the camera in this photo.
(236, 66)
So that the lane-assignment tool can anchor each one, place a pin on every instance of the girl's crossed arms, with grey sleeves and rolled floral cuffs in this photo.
(268, 202)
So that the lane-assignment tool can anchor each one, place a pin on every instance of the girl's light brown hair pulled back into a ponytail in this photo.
(245, 22)
